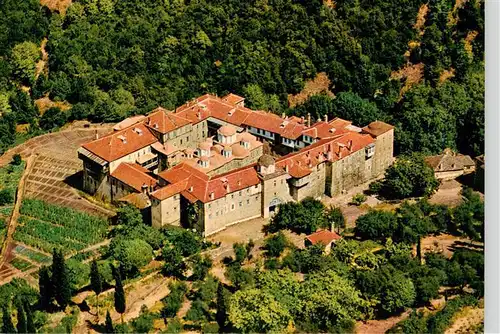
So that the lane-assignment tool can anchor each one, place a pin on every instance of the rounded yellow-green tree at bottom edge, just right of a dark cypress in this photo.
(252, 310)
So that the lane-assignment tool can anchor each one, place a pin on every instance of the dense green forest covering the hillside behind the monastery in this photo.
(418, 65)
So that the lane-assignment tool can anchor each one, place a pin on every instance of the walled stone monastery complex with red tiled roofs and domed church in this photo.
(210, 163)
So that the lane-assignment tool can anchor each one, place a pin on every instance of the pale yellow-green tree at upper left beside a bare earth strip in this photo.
(24, 58)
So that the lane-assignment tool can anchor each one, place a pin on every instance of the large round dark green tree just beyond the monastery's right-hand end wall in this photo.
(409, 176)
